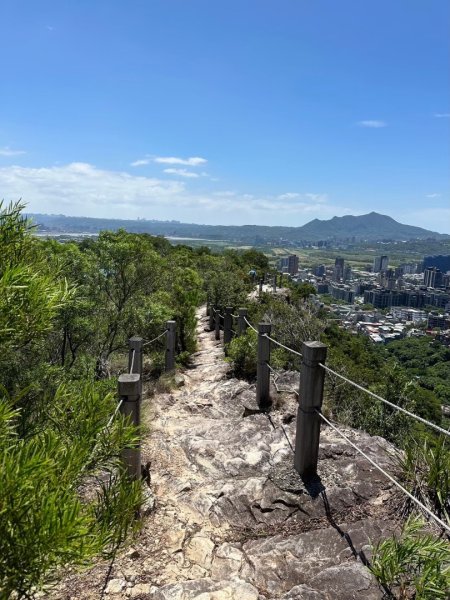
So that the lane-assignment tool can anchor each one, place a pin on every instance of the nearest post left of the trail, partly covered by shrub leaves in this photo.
(129, 393)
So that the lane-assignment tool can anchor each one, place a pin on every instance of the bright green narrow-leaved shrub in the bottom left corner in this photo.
(46, 522)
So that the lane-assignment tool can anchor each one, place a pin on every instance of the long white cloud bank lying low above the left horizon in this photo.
(85, 190)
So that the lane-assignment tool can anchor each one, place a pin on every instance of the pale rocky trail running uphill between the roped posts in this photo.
(232, 520)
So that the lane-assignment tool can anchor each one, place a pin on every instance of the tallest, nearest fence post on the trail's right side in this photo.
(310, 401)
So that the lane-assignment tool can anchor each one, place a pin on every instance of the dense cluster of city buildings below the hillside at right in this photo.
(399, 298)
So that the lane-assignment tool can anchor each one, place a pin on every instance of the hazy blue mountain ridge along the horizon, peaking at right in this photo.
(370, 227)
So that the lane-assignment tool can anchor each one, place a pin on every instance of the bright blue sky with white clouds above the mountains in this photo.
(245, 111)
